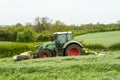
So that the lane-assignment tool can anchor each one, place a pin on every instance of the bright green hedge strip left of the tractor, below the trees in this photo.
(11, 49)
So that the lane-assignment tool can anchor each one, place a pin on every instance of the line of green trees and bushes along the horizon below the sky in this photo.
(43, 28)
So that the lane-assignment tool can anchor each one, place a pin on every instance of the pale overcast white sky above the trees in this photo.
(68, 11)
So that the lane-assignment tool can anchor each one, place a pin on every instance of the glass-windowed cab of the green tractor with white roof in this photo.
(61, 38)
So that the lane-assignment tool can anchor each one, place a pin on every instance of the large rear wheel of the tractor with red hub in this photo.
(73, 50)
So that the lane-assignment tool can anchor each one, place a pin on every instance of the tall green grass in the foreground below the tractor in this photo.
(90, 67)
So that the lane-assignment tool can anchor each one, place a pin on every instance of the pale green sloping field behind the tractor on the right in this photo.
(104, 38)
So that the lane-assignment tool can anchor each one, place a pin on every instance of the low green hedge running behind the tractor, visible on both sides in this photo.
(11, 49)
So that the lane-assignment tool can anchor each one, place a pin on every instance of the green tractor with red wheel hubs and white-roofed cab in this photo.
(61, 45)
